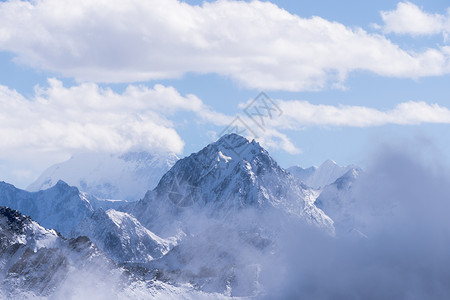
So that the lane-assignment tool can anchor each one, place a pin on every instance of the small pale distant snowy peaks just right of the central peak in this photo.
(318, 177)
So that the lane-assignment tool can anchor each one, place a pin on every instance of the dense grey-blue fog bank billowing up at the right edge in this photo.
(402, 202)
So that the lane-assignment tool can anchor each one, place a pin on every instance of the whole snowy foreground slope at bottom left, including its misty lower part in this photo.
(36, 263)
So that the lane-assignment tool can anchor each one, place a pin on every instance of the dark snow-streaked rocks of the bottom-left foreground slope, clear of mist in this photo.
(34, 261)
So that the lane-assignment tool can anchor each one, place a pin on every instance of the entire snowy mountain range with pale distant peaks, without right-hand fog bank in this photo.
(203, 231)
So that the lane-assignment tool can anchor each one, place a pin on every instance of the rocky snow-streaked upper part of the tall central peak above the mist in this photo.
(228, 166)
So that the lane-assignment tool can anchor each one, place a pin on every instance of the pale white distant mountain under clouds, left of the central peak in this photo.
(127, 176)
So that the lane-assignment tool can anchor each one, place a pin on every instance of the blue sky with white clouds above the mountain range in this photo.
(114, 77)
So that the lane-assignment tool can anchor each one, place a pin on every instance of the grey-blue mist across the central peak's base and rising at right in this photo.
(397, 246)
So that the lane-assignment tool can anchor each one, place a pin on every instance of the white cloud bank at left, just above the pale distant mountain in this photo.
(89, 118)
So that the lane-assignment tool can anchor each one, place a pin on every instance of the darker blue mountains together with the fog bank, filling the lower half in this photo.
(227, 222)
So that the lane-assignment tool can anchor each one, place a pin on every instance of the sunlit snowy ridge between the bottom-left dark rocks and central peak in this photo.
(122, 237)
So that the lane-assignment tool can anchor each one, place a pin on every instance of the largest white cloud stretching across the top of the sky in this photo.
(255, 43)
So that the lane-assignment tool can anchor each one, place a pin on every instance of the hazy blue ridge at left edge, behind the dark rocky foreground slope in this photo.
(60, 207)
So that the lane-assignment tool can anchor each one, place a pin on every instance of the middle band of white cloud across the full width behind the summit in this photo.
(87, 117)
